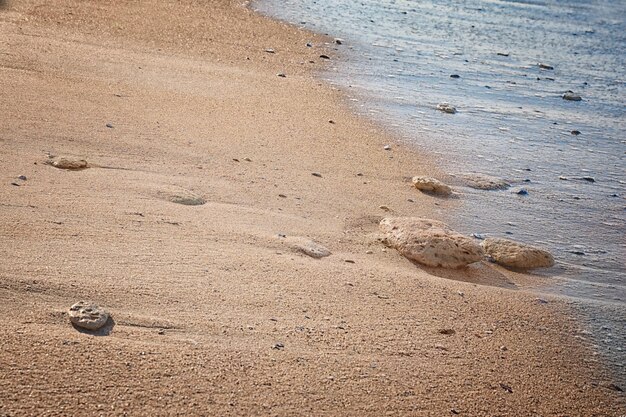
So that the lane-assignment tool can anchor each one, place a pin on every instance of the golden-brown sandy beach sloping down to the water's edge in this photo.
(215, 311)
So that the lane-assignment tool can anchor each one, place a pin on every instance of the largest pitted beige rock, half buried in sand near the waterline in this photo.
(430, 242)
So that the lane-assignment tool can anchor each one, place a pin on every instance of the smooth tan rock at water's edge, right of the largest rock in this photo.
(516, 255)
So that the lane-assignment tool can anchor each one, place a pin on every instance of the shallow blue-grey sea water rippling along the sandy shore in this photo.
(511, 62)
